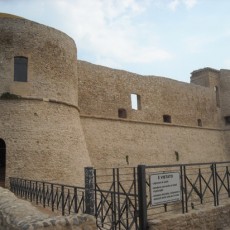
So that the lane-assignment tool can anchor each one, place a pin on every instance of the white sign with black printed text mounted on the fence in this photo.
(165, 188)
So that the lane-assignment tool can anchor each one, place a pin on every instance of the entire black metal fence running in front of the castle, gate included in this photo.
(122, 198)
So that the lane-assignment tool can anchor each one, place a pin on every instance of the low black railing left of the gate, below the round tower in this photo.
(63, 199)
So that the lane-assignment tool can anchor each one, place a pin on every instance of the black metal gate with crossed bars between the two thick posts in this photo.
(116, 198)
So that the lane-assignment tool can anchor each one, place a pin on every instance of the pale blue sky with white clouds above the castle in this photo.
(168, 38)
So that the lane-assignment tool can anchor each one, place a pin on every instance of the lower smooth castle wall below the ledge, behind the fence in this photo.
(110, 141)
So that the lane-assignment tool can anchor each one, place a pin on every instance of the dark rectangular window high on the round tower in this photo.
(20, 69)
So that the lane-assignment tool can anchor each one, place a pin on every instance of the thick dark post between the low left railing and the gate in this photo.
(89, 191)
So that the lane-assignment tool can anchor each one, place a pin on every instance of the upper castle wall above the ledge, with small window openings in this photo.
(102, 91)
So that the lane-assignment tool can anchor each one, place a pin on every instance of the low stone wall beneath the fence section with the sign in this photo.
(210, 218)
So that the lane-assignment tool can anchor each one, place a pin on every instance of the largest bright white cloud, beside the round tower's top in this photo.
(106, 30)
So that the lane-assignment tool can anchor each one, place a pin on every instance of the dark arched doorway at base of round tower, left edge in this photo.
(2, 162)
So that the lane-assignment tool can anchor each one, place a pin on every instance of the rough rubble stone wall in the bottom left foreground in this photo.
(20, 214)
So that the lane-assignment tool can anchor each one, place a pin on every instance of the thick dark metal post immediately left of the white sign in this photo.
(142, 197)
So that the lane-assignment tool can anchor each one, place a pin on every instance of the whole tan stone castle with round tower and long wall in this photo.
(59, 115)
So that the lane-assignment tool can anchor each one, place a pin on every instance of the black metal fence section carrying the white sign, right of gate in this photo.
(200, 185)
